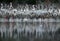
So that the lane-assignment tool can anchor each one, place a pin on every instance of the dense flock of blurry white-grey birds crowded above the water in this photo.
(39, 9)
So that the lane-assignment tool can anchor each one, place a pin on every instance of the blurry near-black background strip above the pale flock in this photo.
(29, 1)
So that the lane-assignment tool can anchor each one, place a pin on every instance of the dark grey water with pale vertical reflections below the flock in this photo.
(29, 31)
